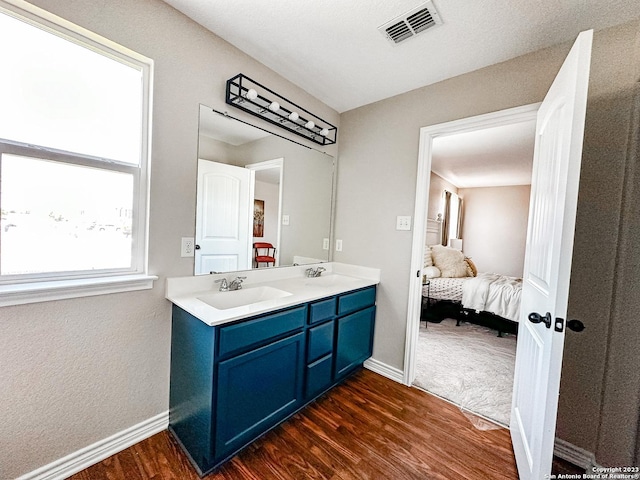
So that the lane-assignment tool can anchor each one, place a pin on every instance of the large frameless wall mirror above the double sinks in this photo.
(255, 188)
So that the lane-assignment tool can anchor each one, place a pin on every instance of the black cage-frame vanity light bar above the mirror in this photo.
(249, 95)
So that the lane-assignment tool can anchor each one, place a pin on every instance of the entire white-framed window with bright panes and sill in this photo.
(73, 160)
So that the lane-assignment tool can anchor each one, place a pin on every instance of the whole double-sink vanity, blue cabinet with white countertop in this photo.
(241, 367)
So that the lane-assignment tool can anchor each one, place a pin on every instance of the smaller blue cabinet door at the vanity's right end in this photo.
(355, 340)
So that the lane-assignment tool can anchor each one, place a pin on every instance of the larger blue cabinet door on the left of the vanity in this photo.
(256, 390)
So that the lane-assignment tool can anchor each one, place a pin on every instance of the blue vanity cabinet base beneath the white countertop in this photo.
(232, 383)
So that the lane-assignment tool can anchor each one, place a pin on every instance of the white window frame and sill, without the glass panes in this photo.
(30, 288)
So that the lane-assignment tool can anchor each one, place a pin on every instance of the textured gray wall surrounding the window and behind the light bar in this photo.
(78, 371)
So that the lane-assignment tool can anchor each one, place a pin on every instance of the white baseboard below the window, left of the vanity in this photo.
(92, 454)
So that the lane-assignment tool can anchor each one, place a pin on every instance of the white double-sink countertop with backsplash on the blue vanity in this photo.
(186, 292)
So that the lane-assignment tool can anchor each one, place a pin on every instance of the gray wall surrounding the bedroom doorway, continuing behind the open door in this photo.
(383, 137)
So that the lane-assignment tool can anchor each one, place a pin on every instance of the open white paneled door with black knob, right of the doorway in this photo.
(554, 194)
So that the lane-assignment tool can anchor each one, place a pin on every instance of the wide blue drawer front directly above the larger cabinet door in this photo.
(236, 337)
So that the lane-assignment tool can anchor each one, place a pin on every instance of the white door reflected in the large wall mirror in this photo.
(224, 218)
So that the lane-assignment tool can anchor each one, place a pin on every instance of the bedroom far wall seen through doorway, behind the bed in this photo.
(494, 227)
